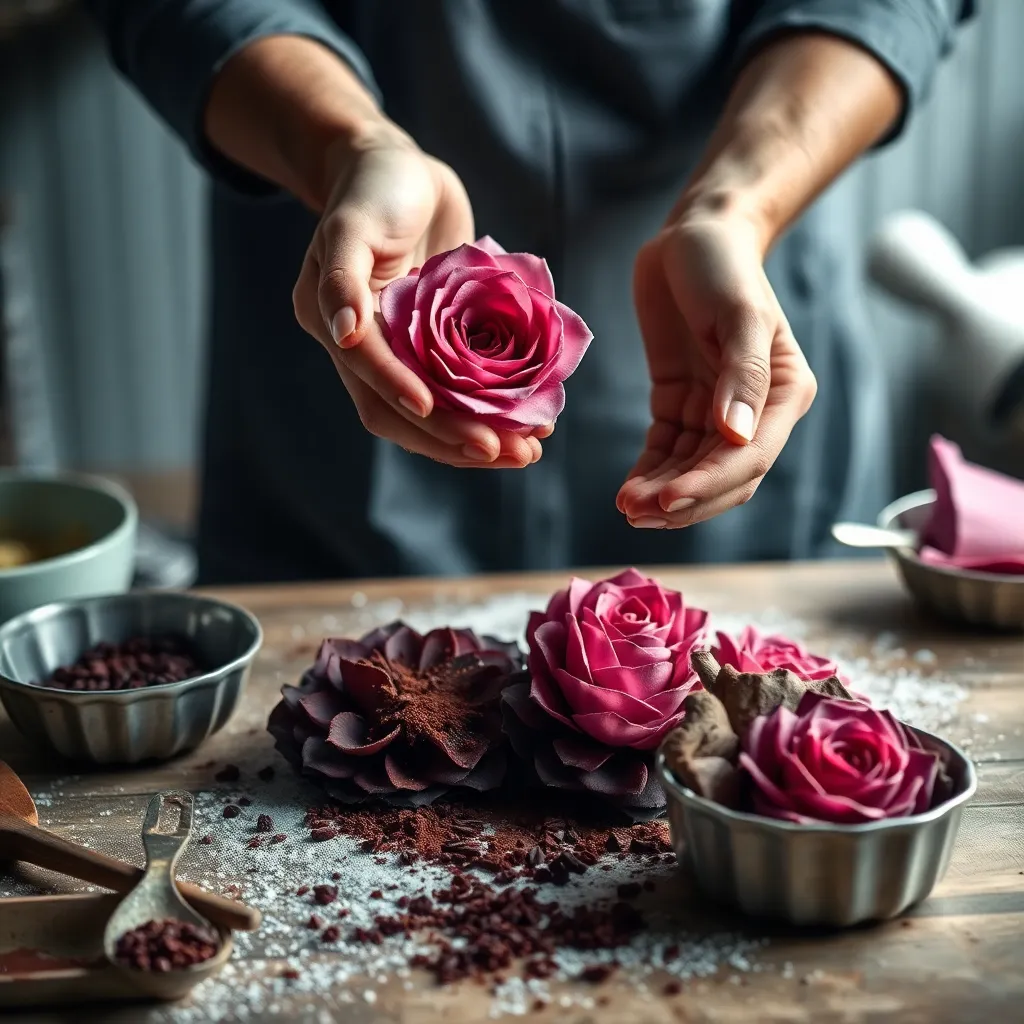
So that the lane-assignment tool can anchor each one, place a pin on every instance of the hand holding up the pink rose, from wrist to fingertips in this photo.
(390, 209)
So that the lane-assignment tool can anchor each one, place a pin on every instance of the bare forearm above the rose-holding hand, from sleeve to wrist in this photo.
(284, 108)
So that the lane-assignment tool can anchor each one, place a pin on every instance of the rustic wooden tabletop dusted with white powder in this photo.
(957, 958)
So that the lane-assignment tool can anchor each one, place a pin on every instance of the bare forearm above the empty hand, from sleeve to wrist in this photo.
(802, 110)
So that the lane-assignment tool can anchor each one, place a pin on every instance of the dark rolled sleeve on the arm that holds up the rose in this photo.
(173, 51)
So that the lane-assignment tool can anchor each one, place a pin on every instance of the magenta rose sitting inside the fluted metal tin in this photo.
(838, 761)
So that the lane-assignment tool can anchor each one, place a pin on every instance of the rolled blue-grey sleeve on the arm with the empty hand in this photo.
(910, 37)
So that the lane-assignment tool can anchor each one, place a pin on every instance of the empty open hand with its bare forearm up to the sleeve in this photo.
(729, 379)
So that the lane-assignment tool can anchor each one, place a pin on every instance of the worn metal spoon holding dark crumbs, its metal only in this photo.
(165, 835)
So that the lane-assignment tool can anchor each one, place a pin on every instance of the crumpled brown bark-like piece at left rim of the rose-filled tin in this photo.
(702, 751)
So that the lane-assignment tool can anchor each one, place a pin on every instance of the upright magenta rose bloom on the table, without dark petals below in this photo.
(613, 659)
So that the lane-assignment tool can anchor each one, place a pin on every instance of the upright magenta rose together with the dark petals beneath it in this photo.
(611, 667)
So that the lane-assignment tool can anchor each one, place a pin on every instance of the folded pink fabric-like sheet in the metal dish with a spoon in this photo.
(977, 522)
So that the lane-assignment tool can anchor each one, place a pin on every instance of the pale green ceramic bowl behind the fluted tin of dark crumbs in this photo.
(50, 505)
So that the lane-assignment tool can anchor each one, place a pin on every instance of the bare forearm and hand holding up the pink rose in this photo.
(293, 112)
